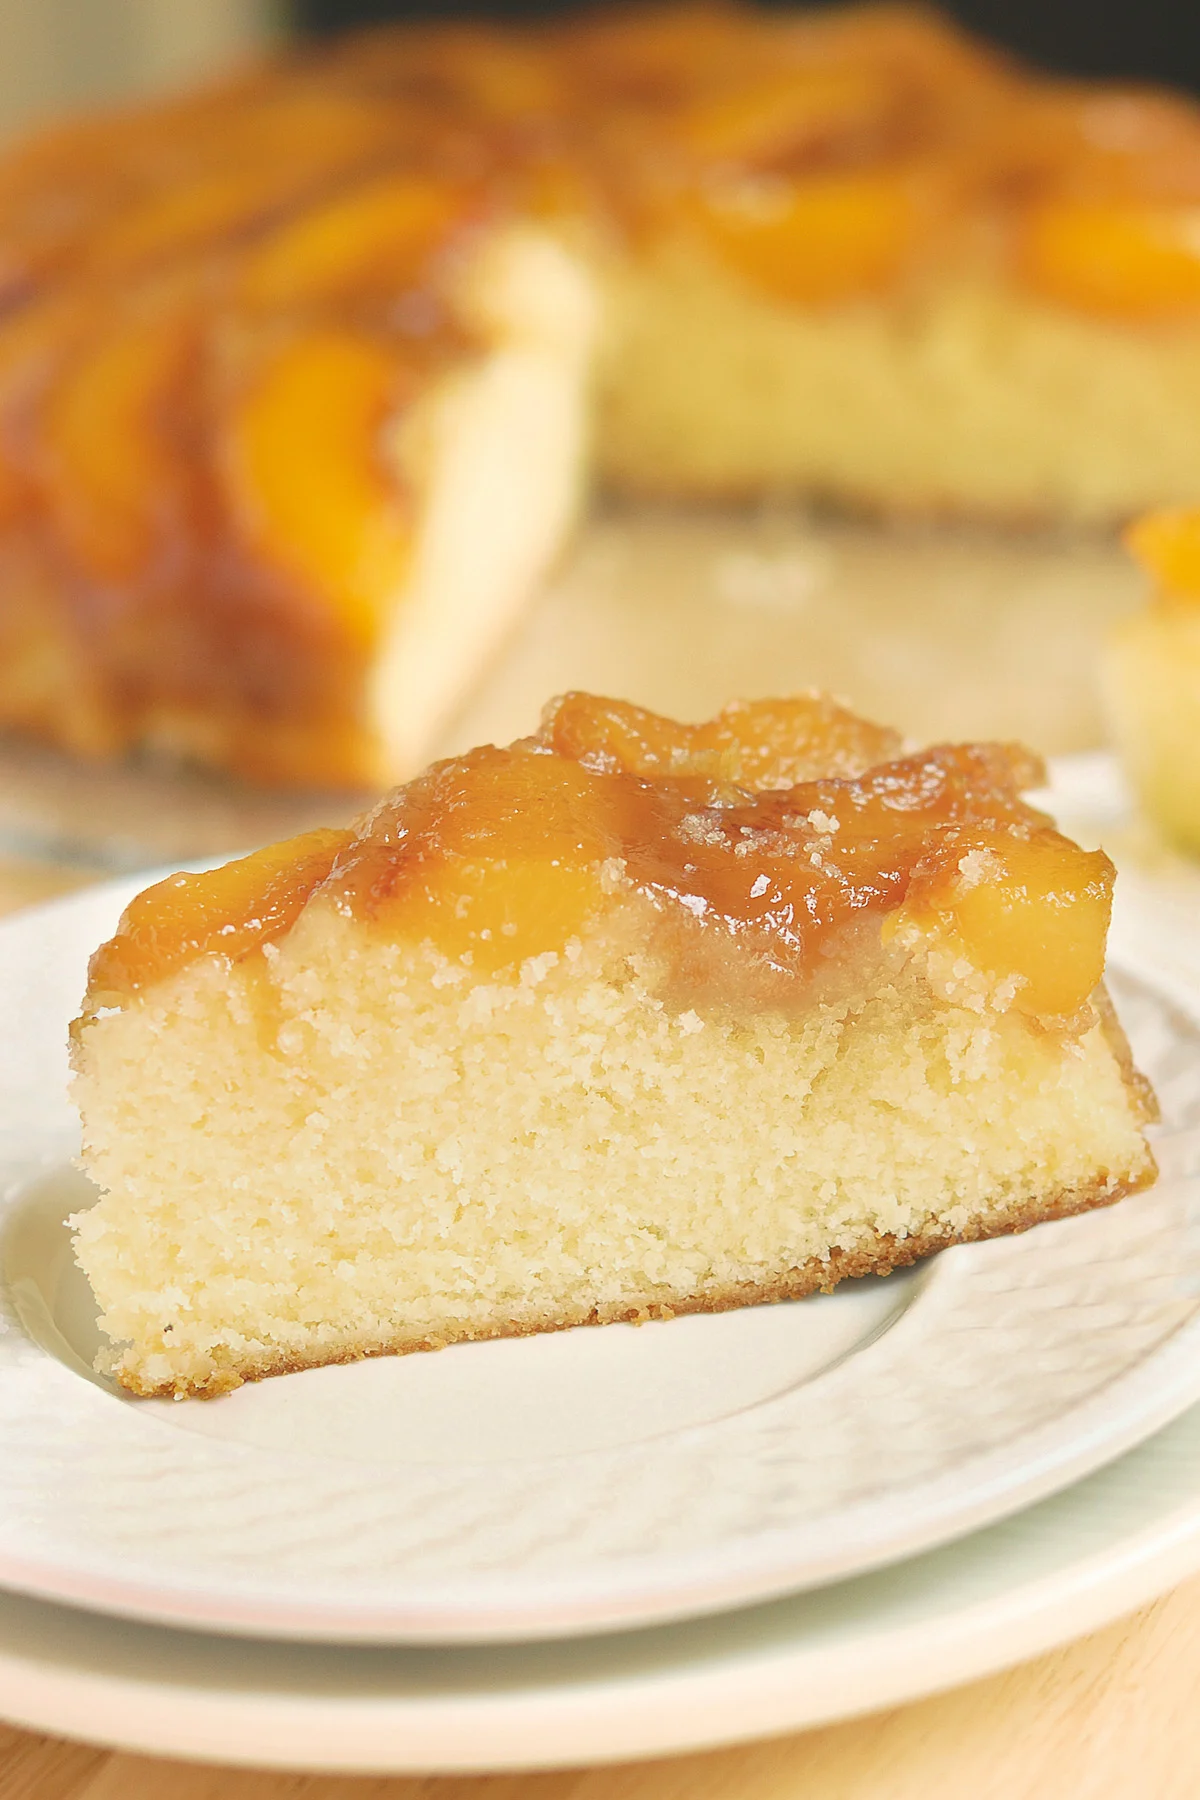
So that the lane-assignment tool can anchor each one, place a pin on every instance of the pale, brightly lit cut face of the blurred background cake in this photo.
(497, 454)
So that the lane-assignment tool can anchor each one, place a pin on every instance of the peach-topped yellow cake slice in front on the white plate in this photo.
(622, 1021)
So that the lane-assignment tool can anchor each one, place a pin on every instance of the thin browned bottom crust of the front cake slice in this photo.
(877, 1254)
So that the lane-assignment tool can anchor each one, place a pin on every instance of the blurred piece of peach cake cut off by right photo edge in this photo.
(1152, 678)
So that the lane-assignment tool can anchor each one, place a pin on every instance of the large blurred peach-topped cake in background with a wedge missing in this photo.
(298, 373)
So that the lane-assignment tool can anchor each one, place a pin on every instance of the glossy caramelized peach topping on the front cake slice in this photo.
(699, 841)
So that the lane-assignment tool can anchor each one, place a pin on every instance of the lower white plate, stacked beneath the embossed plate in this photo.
(1016, 1590)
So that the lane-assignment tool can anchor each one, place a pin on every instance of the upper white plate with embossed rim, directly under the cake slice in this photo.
(596, 1479)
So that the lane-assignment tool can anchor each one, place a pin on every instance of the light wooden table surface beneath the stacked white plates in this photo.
(1109, 1718)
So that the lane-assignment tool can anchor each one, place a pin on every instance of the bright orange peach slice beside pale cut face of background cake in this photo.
(305, 469)
